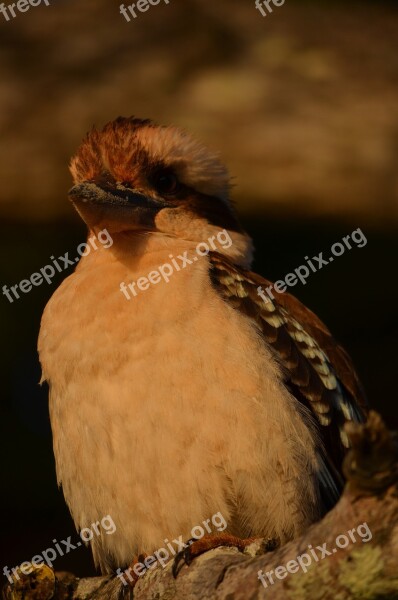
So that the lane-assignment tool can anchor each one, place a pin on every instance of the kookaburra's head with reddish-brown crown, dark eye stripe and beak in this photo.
(134, 176)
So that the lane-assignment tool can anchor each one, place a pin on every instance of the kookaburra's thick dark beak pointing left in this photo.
(116, 207)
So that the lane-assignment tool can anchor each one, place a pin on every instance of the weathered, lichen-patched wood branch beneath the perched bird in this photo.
(351, 554)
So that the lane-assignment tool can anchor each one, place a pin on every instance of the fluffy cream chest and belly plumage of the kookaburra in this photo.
(168, 408)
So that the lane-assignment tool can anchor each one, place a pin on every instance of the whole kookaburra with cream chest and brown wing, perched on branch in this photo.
(195, 396)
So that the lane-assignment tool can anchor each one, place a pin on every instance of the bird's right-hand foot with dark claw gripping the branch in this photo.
(208, 542)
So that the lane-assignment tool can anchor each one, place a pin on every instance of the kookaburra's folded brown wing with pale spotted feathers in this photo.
(318, 372)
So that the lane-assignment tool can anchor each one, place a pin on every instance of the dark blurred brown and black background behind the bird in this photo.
(303, 107)
